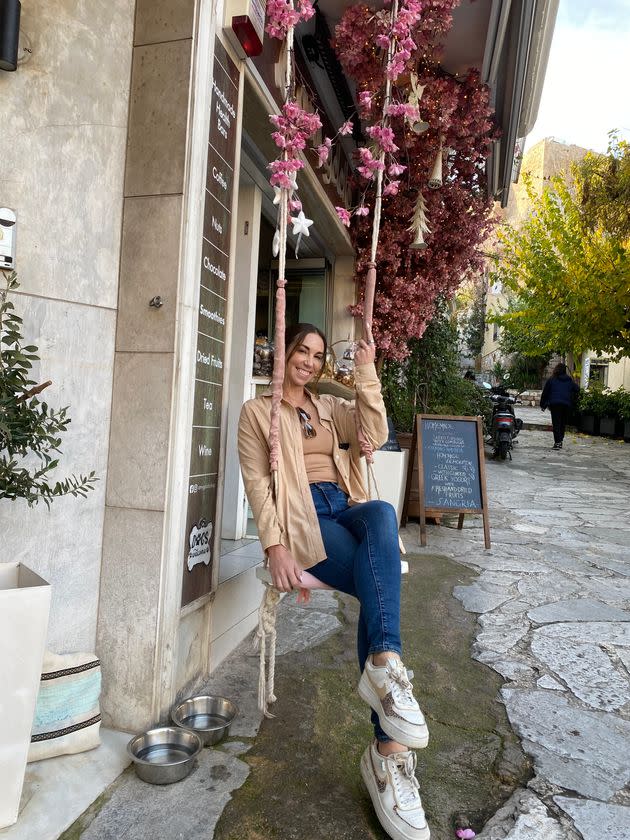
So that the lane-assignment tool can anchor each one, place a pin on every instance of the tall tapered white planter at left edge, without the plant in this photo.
(24, 607)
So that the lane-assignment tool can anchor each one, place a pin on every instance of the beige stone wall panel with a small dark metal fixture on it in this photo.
(149, 266)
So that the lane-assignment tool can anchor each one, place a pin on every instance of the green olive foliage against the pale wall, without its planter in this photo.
(29, 428)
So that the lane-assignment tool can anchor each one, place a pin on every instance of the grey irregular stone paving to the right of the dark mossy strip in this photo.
(553, 597)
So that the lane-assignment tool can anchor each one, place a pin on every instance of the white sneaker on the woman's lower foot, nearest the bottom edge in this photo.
(393, 788)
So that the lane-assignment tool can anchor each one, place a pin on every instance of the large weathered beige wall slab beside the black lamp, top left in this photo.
(62, 148)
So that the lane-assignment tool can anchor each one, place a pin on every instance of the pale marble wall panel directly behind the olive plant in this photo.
(76, 346)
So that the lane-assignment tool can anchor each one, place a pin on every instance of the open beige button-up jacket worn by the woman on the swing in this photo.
(293, 521)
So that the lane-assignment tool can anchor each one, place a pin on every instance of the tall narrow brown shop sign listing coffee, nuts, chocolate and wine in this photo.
(214, 273)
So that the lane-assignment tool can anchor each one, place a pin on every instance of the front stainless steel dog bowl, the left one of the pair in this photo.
(164, 755)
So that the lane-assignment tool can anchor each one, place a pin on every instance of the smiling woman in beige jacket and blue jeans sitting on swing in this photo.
(323, 523)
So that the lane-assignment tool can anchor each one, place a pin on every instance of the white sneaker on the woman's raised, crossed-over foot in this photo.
(388, 690)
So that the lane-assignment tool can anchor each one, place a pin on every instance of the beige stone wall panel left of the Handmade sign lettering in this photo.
(156, 145)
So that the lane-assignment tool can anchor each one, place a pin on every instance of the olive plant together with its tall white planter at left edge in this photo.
(29, 439)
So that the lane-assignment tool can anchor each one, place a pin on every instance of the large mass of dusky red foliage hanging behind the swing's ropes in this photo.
(459, 213)
